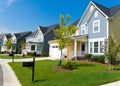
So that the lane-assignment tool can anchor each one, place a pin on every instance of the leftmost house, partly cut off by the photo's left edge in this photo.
(3, 39)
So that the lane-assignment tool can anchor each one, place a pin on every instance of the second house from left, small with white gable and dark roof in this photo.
(16, 38)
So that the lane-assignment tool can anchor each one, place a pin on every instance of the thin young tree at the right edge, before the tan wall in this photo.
(111, 49)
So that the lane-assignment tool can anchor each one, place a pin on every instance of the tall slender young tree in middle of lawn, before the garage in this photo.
(64, 33)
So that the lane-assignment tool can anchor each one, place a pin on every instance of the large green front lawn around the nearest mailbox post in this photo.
(45, 75)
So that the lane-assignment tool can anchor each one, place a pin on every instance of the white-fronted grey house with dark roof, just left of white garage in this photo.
(38, 41)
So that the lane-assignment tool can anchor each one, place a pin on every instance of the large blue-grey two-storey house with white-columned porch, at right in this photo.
(96, 25)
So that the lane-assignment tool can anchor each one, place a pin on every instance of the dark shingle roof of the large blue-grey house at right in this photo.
(110, 12)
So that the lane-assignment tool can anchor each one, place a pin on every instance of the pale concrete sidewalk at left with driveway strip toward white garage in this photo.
(9, 77)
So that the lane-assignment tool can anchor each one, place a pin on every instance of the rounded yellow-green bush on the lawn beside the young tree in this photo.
(68, 64)
